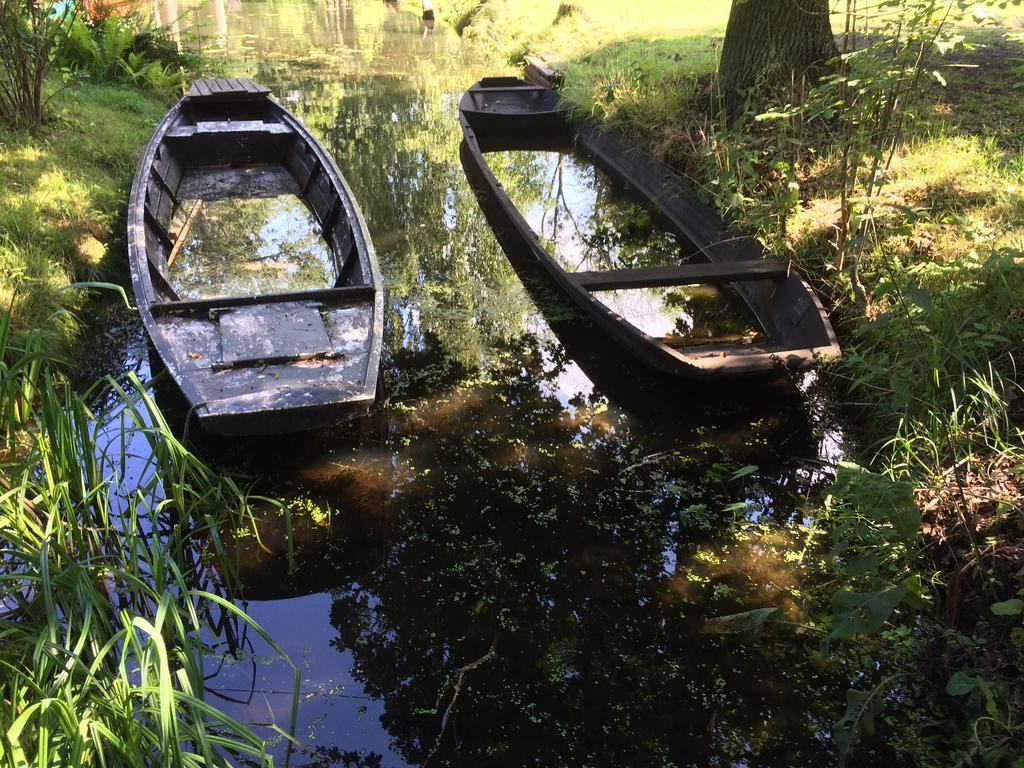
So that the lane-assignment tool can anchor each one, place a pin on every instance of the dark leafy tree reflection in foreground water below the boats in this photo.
(581, 553)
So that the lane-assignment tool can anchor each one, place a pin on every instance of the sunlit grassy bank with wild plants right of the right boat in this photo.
(928, 545)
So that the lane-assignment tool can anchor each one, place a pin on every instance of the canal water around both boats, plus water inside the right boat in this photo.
(525, 554)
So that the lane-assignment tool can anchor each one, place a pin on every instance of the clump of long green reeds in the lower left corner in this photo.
(113, 592)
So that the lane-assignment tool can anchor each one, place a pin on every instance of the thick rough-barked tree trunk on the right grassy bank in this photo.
(775, 44)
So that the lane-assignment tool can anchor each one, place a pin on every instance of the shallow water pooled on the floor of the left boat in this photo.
(248, 235)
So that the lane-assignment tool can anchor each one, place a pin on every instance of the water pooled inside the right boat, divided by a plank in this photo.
(589, 225)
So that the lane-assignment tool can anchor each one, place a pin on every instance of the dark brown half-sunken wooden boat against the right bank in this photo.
(509, 114)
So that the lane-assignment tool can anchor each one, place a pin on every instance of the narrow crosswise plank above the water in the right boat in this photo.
(684, 275)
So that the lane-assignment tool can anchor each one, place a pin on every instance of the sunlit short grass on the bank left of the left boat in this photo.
(63, 193)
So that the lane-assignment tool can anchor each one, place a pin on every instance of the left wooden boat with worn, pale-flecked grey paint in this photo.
(277, 362)
